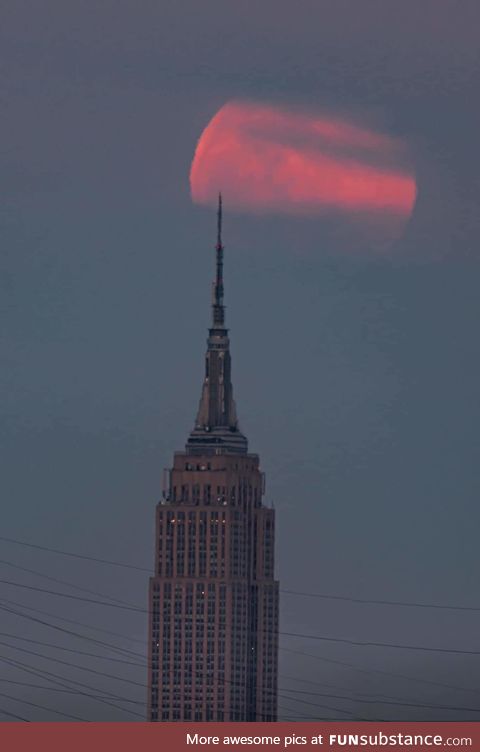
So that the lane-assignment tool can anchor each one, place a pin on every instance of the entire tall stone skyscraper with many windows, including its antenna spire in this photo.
(213, 601)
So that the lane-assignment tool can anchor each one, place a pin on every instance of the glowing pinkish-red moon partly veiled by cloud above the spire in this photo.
(268, 159)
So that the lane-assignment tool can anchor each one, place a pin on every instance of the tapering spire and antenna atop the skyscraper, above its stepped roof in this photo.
(216, 426)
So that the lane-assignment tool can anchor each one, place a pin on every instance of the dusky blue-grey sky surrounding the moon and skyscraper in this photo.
(355, 371)
